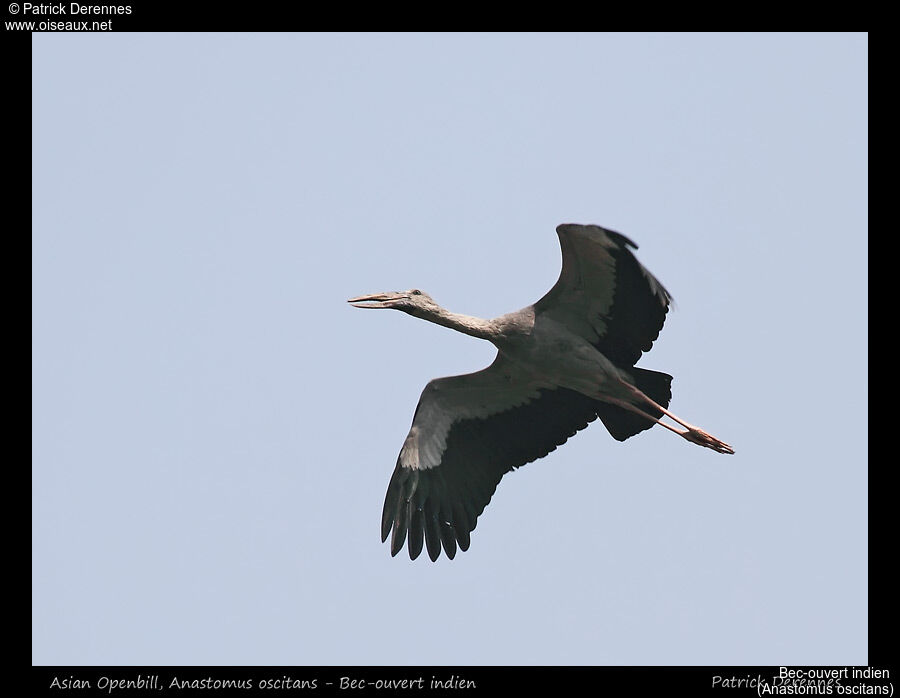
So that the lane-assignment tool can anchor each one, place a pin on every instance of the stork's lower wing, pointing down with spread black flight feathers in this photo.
(467, 432)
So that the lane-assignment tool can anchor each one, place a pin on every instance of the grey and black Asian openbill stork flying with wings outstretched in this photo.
(561, 363)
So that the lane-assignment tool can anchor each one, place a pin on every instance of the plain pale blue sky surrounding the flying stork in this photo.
(214, 428)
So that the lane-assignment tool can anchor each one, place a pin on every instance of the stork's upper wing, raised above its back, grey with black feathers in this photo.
(605, 295)
